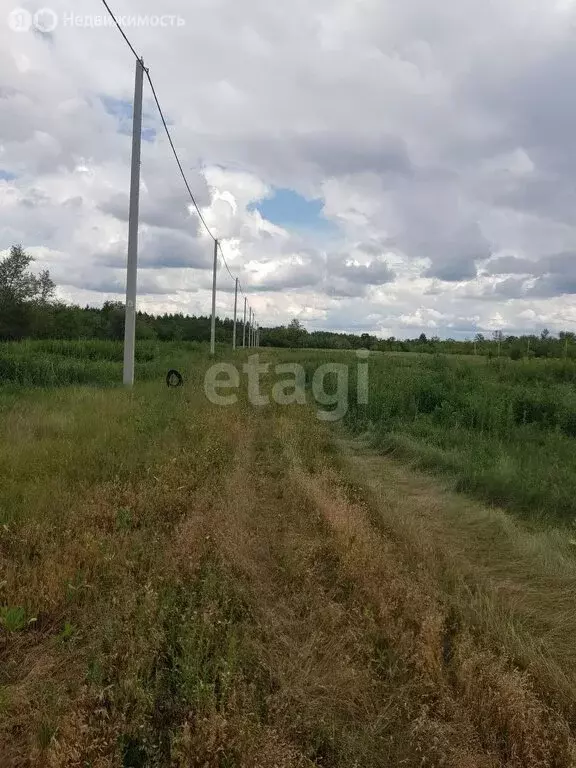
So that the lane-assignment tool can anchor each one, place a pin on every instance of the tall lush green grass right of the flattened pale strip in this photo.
(504, 431)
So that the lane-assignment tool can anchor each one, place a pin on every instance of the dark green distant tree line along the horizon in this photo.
(29, 310)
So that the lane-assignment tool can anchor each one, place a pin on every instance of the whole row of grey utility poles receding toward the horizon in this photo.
(250, 329)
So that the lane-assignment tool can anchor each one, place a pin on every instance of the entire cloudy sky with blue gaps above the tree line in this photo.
(369, 165)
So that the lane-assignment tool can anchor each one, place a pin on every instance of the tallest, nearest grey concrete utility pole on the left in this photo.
(132, 265)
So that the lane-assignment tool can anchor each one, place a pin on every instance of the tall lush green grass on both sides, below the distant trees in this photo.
(505, 431)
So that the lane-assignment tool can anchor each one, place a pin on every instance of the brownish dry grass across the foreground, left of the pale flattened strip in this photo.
(204, 587)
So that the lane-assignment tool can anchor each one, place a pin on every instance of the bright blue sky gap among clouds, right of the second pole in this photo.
(288, 209)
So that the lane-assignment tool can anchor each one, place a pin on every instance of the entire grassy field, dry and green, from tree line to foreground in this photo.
(185, 584)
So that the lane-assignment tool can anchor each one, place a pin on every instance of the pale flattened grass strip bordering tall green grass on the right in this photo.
(513, 583)
